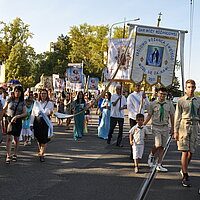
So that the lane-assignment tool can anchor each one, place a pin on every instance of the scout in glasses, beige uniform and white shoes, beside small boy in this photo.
(160, 110)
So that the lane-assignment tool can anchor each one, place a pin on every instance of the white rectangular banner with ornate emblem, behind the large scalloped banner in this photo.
(117, 56)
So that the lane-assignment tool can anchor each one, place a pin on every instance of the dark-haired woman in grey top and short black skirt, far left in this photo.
(16, 110)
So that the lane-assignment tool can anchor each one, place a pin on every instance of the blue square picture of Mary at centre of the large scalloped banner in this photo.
(154, 56)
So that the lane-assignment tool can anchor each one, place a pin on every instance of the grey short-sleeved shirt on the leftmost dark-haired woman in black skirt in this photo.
(12, 106)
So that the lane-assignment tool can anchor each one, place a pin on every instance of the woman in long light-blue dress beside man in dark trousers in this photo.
(104, 126)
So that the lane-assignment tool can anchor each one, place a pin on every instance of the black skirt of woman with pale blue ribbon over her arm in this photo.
(40, 130)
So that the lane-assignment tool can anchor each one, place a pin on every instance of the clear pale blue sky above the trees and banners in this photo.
(48, 19)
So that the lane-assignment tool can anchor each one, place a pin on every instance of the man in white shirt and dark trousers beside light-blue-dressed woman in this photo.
(118, 104)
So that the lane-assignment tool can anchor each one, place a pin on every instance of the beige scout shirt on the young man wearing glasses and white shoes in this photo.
(154, 110)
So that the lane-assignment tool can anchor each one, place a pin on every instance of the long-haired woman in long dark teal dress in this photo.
(79, 105)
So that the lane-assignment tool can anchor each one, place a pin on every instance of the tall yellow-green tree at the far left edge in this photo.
(17, 54)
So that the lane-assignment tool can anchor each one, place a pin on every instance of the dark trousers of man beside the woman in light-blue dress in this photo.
(113, 123)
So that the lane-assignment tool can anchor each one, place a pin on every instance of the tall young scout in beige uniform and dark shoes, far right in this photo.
(187, 118)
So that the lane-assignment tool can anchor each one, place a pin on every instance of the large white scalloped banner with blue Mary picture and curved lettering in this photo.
(154, 55)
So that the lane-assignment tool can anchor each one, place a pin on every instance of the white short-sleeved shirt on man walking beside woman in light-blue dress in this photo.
(115, 112)
